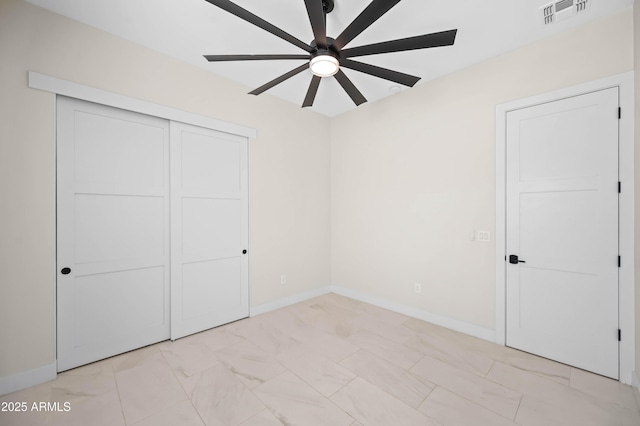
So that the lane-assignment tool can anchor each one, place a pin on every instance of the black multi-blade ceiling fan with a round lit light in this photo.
(325, 55)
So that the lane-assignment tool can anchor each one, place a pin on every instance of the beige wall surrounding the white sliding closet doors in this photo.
(289, 167)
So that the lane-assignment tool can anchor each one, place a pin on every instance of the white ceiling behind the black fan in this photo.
(188, 29)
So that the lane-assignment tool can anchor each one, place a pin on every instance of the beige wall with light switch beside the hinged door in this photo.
(414, 175)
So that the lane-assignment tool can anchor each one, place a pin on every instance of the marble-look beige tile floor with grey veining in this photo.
(328, 361)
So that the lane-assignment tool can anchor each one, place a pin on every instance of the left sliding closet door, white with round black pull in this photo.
(112, 231)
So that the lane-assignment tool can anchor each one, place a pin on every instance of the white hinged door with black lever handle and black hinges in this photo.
(562, 223)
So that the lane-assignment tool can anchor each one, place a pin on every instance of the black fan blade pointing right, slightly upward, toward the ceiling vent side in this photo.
(444, 38)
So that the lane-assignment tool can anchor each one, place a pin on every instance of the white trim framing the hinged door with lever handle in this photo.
(625, 83)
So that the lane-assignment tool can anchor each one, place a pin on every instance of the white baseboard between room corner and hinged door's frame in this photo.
(450, 323)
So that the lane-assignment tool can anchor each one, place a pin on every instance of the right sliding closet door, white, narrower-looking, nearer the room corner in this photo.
(209, 220)
